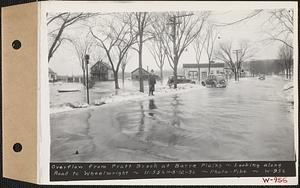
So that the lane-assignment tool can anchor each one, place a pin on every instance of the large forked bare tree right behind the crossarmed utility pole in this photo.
(185, 27)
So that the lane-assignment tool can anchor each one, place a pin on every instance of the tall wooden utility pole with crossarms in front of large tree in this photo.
(174, 23)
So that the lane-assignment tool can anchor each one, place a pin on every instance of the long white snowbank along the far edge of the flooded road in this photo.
(126, 96)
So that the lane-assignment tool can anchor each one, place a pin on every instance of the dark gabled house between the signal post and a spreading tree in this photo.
(102, 71)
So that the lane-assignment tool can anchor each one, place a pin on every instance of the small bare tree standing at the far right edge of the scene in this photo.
(286, 56)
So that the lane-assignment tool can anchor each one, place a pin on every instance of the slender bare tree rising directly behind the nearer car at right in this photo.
(211, 36)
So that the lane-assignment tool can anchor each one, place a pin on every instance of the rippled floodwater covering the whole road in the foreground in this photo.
(249, 120)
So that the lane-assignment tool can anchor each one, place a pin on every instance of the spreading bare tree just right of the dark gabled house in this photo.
(116, 38)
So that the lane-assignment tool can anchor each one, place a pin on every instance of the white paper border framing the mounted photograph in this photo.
(129, 6)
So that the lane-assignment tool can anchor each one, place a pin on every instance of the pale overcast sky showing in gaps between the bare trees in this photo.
(65, 61)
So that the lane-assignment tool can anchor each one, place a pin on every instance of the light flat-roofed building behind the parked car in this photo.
(191, 70)
